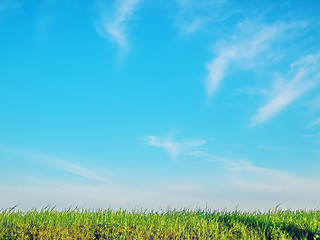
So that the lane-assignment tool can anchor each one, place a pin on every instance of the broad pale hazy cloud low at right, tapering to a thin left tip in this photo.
(244, 176)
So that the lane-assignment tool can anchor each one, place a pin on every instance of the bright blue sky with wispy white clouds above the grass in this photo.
(159, 104)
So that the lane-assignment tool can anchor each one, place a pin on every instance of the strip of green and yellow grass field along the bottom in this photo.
(170, 224)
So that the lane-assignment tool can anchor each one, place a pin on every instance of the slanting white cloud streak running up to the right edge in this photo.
(304, 75)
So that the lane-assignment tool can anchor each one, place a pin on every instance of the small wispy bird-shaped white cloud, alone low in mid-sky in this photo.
(174, 148)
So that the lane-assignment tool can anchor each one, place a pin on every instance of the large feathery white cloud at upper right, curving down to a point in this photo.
(246, 47)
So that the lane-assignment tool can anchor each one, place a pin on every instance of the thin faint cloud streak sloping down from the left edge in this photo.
(58, 163)
